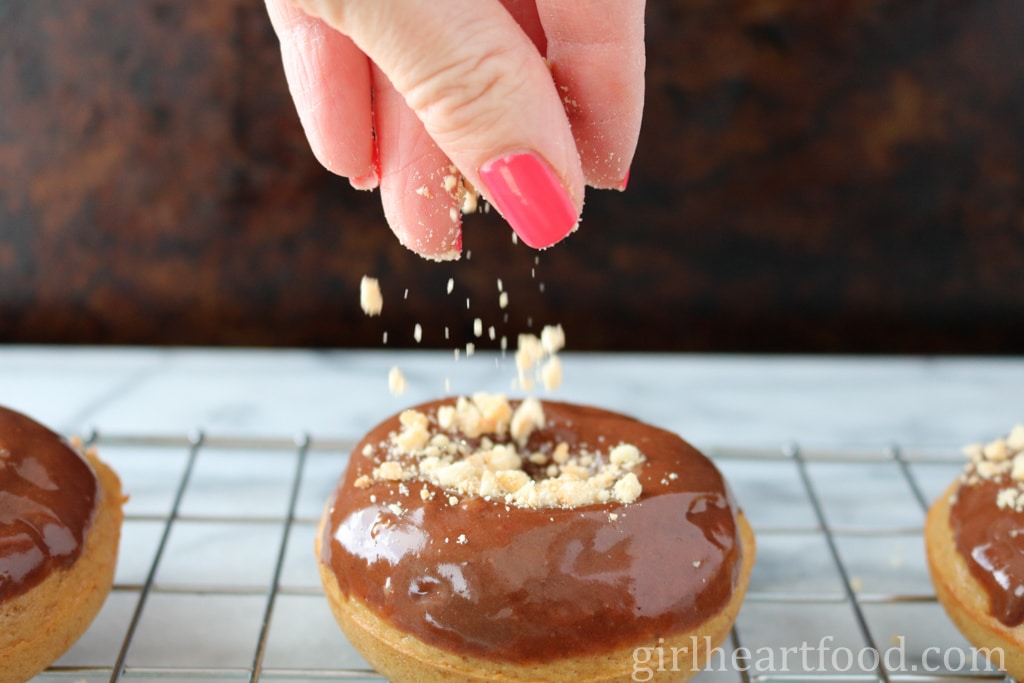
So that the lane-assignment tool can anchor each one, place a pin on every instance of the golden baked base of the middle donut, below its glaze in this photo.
(403, 658)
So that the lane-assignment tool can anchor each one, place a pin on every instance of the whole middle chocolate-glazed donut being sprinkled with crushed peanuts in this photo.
(482, 539)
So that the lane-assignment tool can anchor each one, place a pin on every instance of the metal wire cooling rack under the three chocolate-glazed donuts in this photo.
(217, 577)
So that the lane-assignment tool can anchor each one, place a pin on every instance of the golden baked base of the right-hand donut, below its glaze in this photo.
(966, 601)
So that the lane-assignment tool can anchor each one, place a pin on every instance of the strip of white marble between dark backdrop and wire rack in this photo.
(711, 400)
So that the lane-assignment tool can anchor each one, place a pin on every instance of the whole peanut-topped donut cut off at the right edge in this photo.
(974, 539)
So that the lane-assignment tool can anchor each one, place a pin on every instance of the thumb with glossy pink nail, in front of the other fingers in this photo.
(485, 96)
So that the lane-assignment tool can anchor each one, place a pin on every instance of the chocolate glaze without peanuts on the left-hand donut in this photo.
(49, 497)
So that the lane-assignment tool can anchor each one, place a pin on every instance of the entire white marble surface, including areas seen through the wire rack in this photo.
(194, 580)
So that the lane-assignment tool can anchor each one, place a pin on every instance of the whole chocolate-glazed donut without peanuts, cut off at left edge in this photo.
(61, 515)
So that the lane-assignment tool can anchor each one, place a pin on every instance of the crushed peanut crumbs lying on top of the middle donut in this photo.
(480, 447)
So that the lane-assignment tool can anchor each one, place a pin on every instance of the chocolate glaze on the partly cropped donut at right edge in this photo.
(992, 541)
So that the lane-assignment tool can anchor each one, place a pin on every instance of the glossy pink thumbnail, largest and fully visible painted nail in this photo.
(531, 198)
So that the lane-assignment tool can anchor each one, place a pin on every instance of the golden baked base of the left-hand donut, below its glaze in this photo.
(42, 624)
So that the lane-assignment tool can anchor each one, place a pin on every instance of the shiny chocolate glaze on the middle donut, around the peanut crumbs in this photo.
(534, 585)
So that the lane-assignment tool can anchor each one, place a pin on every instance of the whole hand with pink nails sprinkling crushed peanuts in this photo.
(529, 100)
